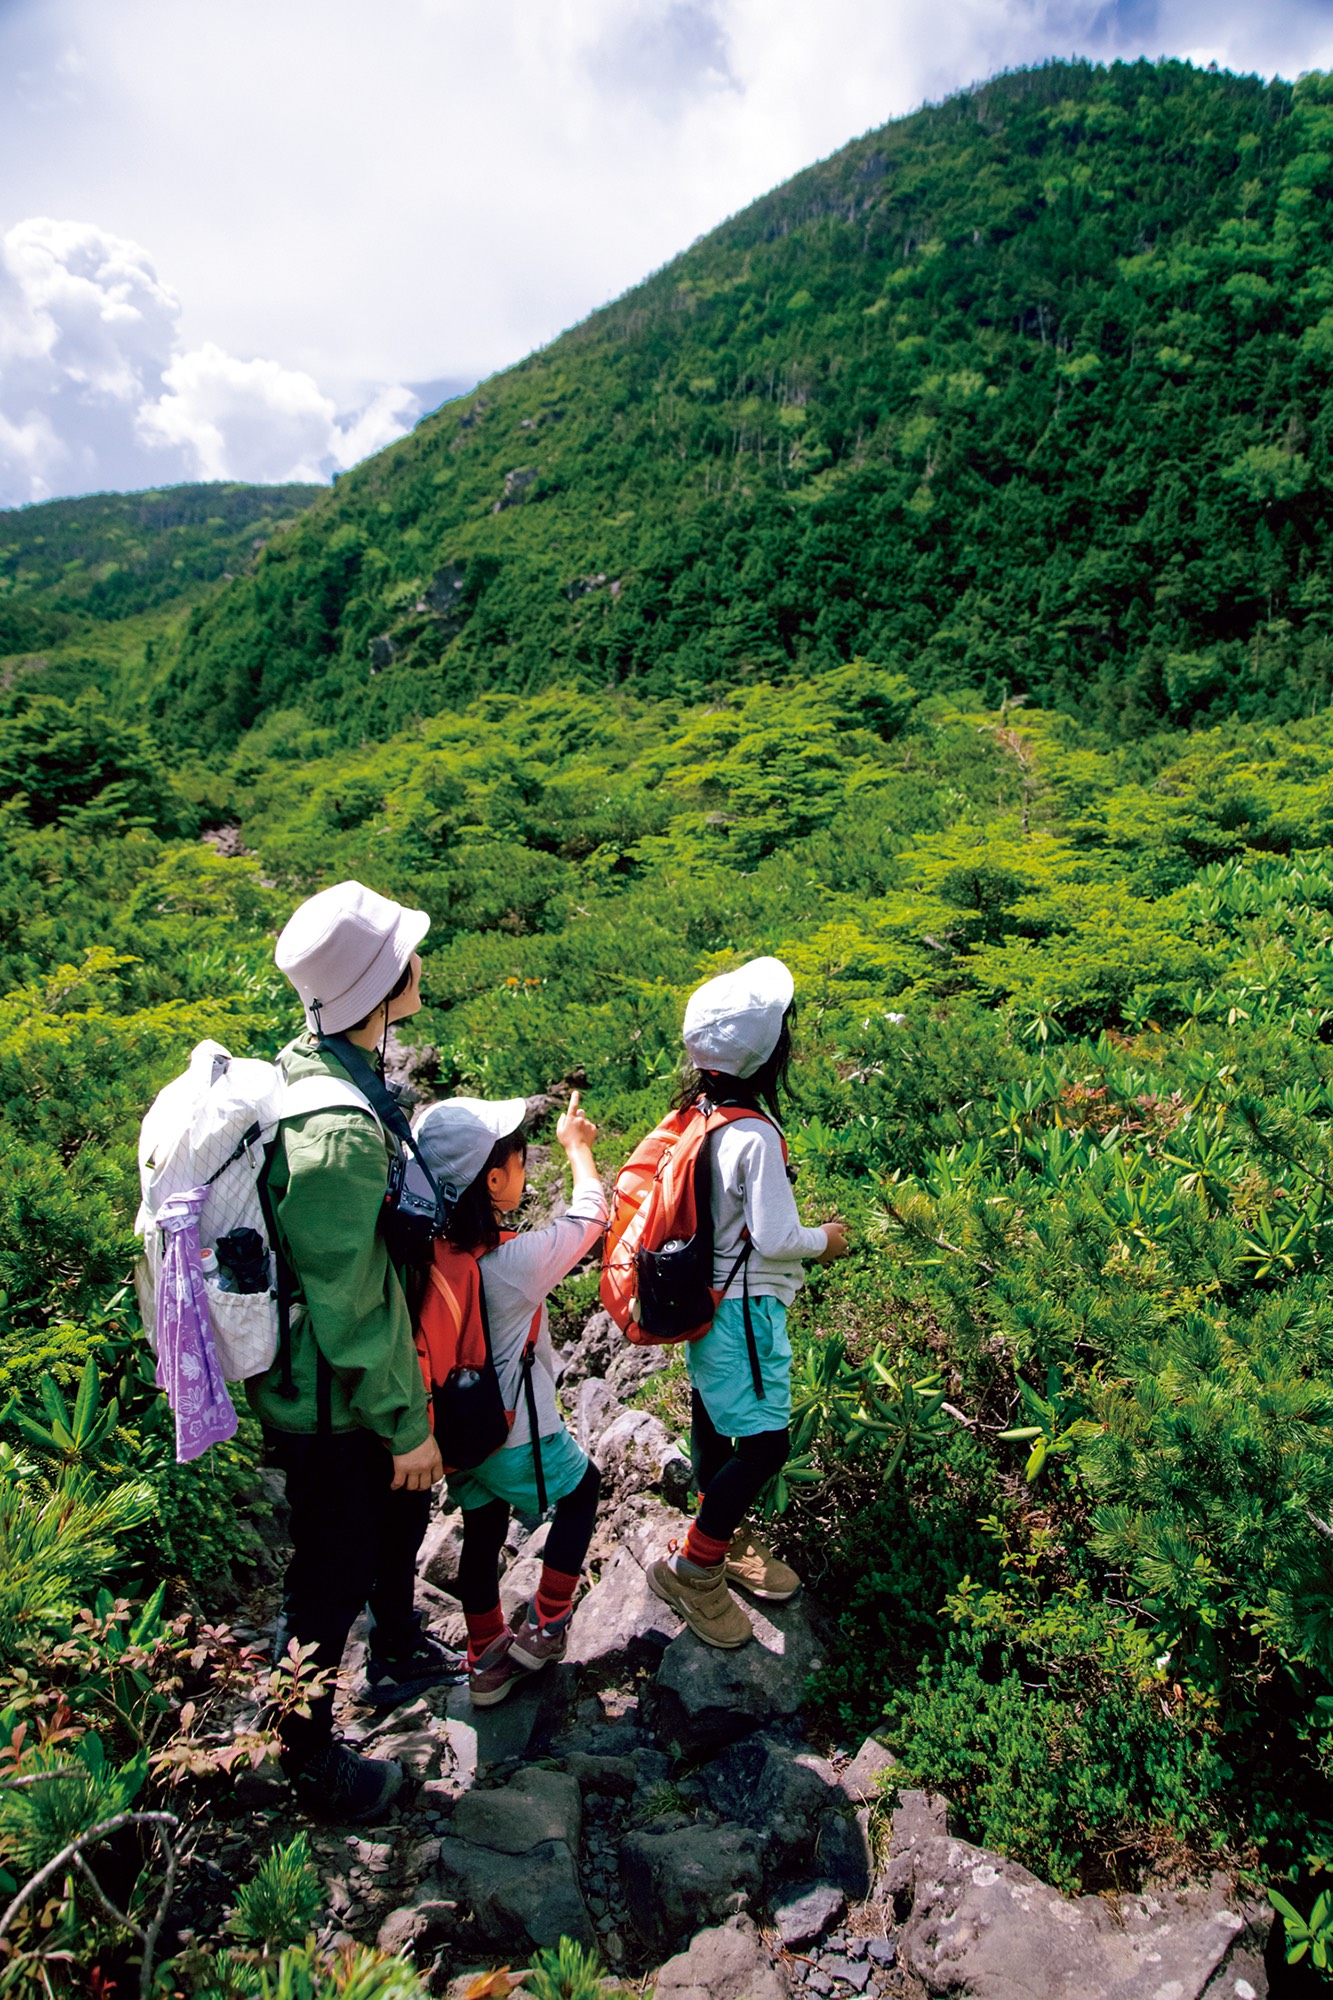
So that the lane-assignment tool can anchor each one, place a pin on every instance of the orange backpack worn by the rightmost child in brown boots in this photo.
(657, 1267)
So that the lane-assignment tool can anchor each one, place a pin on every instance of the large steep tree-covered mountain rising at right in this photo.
(1026, 393)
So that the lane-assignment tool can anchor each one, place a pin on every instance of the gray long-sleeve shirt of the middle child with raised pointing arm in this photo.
(517, 1279)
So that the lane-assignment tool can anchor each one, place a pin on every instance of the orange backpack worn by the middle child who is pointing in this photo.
(453, 1347)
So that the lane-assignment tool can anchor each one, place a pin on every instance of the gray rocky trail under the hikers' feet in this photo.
(659, 1801)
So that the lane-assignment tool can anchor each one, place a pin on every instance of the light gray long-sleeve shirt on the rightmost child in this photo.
(752, 1193)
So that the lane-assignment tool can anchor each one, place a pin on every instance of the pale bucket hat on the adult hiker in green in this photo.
(345, 951)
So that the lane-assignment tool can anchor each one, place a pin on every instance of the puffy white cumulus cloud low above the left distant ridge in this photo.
(99, 391)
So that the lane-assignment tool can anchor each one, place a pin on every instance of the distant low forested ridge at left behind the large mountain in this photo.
(71, 567)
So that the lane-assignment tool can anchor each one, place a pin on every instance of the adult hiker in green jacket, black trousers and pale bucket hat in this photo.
(345, 1409)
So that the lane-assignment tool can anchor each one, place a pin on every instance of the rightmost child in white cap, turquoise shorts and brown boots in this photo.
(738, 1035)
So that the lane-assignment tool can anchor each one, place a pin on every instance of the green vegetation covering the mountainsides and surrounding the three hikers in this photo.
(924, 579)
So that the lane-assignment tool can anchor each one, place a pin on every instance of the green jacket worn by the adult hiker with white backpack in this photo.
(327, 1187)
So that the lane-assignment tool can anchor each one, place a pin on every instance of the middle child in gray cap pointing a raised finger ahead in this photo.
(477, 1153)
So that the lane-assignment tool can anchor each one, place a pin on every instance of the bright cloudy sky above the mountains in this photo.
(253, 237)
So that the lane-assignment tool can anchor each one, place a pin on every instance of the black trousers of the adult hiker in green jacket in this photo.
(355, 1545)
